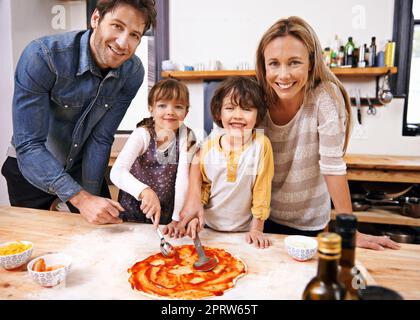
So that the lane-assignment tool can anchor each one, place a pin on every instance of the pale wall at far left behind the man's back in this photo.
(20, 22)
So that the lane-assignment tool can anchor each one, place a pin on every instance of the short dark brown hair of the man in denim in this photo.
(147, 7)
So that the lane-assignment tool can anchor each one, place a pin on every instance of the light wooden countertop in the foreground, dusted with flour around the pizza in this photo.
(102, 254)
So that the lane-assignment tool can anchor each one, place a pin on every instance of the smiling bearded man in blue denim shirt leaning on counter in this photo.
(71, 93)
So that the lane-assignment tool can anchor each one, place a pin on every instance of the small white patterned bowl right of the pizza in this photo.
(301, 248)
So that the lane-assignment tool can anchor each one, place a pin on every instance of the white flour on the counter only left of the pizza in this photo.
(100, 260)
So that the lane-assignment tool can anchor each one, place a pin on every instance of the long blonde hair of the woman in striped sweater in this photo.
(318, 73)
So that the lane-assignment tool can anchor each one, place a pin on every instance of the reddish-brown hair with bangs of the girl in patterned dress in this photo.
(167, 89)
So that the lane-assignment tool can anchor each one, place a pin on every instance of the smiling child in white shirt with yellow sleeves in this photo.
(236, 164)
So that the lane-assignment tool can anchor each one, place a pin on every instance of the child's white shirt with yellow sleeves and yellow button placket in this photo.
(236, 184)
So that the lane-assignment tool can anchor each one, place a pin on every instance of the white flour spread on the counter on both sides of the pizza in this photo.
(101, 259)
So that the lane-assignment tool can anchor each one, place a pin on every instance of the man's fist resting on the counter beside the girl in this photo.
(97, 210)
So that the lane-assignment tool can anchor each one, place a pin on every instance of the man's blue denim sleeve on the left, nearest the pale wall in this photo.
(34, 79)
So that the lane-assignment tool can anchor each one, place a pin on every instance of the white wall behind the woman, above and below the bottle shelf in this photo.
(229, 31)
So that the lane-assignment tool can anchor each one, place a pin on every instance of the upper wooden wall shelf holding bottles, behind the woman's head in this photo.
(221, 74)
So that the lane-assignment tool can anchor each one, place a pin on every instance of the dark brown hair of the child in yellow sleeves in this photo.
(244, 91)
